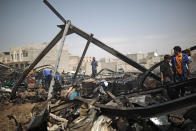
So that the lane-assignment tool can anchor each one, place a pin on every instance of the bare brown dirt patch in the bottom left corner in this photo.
(20, 111)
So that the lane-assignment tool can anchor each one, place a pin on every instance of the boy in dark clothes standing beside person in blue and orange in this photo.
(166, 71)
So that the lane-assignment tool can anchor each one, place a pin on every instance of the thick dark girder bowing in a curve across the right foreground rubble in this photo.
(150, 111)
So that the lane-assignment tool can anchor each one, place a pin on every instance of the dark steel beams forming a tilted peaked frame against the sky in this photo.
(89, 37)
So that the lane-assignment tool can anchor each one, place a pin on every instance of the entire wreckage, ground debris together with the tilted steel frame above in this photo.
(41, 98)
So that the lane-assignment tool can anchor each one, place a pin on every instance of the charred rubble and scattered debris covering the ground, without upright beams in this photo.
(109, 104)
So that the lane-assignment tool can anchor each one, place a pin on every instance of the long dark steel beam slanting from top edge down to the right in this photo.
(100, 44)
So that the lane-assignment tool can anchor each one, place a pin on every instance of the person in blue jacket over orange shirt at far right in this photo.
(181, 67)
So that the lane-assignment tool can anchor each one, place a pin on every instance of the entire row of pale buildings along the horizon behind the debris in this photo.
(23, 56)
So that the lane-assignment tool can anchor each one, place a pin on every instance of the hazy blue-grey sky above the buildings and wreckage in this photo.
(128, 26)
